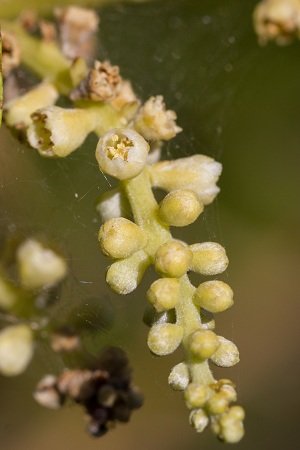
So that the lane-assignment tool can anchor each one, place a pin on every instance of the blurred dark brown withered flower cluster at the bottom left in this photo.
(105, 391)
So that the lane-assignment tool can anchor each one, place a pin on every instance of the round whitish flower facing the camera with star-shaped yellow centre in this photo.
(122, 153)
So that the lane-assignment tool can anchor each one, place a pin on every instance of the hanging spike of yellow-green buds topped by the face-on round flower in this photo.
(178, 313)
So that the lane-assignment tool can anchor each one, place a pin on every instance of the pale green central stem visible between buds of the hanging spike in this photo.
(144, 208)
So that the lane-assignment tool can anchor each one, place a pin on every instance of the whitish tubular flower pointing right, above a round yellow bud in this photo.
(198, 173)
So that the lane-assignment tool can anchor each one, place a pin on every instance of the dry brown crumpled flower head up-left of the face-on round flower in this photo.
(101, 84)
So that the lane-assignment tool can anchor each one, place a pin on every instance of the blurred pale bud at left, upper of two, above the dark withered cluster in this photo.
(39, 266)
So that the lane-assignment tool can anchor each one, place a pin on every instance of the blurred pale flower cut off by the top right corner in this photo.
(277, 20)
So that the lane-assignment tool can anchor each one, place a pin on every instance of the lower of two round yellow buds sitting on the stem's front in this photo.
(203, 344)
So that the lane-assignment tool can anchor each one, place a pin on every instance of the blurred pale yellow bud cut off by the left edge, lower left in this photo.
(16, 349)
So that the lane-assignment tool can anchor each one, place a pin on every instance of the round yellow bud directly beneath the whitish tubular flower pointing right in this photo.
(180, 208)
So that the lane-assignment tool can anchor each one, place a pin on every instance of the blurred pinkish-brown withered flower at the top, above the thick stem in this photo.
(77, 26)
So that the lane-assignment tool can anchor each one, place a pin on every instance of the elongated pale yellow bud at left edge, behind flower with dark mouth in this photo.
(18, 111)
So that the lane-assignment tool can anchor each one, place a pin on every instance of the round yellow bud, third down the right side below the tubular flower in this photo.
(215, 296)
